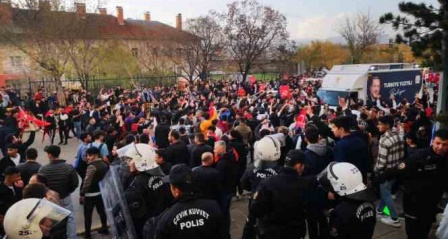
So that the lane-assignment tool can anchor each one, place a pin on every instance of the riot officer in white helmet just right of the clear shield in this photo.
(147, 195)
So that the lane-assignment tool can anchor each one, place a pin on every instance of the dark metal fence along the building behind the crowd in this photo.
(94, 85)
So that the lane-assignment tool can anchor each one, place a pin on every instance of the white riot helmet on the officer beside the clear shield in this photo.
(144, 157)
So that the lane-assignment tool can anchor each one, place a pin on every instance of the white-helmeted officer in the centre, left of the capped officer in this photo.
(267, 152)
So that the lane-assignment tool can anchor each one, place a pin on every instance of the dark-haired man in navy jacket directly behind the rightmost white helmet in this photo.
(350, 148)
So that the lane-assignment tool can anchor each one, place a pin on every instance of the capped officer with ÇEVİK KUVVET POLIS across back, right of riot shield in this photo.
(191, 216)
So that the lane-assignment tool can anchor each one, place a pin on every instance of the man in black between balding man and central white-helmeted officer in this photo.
(225, 163)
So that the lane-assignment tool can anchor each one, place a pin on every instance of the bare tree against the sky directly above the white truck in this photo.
(360, 32)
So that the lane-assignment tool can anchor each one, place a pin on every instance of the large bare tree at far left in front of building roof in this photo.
(41, 29)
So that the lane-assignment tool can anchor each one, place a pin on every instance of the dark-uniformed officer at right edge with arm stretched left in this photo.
(425, 177)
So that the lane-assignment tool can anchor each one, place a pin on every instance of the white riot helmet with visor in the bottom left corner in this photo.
(32, 218)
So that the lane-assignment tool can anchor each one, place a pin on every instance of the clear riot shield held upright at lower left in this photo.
(116, 207)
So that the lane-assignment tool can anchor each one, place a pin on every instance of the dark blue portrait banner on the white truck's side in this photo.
(399, 84)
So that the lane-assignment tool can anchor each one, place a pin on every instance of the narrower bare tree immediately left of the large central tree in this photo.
(211, 39)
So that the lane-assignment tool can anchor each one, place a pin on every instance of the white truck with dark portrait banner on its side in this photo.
(370, 82)
